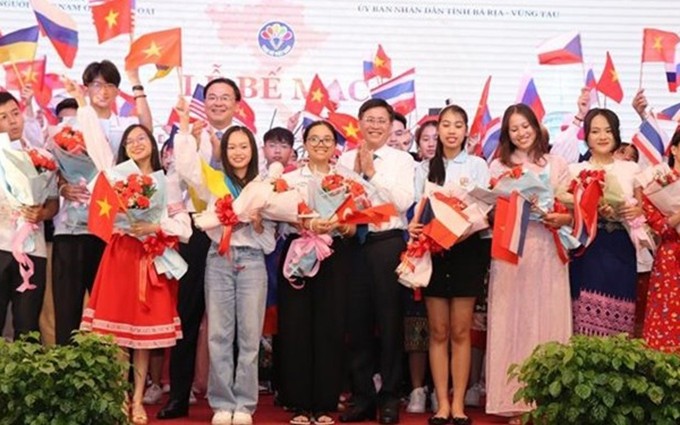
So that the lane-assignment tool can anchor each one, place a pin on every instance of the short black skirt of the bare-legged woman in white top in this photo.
(460, 271)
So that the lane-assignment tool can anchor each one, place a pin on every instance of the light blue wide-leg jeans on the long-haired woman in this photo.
(235, 296)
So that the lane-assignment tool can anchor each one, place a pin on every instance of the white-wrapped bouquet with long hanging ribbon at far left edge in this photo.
(28, 178)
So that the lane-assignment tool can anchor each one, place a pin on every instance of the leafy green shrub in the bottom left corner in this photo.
(81, 383)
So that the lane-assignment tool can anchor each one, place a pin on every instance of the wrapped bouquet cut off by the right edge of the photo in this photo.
(661, 185)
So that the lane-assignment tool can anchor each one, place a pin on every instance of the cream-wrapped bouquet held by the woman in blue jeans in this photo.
(270, 196)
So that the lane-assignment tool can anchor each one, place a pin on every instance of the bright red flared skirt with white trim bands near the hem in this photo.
(126, 302)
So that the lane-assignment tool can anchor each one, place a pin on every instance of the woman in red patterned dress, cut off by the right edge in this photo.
(661, 327)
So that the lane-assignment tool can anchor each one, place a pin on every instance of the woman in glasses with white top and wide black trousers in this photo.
(312, 310)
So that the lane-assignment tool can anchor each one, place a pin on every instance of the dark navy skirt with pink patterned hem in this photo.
(603, 280)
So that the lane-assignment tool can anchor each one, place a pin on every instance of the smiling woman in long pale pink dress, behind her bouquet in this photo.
(529, 302)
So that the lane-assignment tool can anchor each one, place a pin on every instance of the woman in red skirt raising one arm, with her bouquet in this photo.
(131, 300)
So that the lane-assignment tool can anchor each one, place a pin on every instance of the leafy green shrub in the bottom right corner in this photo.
(599, 380)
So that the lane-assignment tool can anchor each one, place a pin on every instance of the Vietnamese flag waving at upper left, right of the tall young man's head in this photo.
(159, 48)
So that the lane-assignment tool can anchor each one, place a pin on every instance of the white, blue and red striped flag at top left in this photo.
(59, 27)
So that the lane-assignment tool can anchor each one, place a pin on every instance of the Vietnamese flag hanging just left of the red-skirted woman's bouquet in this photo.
(104, 205)
